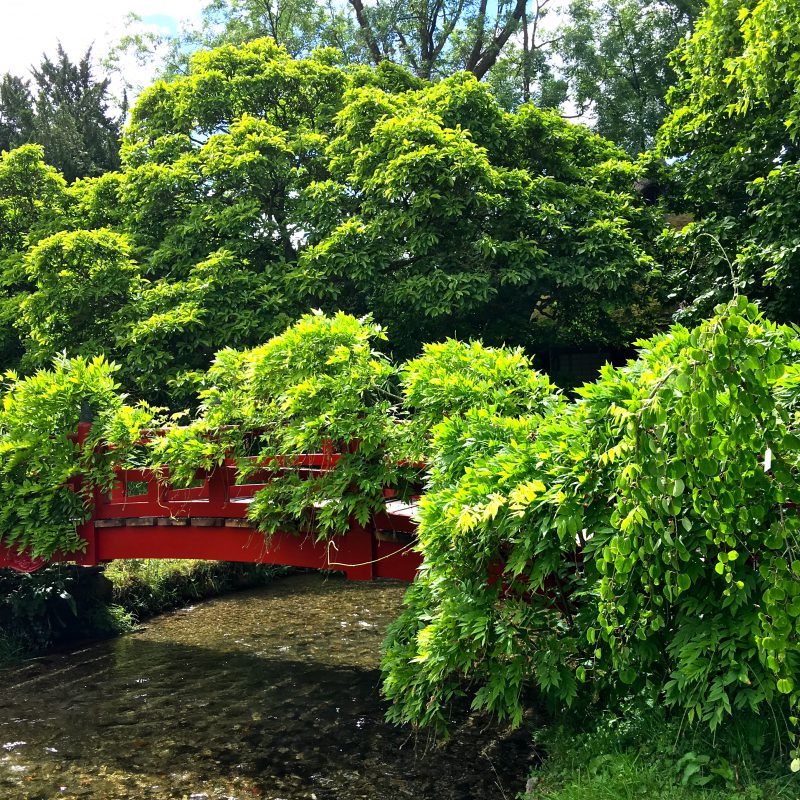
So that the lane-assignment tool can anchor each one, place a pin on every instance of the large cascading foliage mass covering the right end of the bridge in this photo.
(632, 540)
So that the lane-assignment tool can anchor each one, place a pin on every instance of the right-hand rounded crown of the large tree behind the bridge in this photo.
(475, 221)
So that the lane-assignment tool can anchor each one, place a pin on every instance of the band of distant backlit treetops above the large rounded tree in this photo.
(606, 61)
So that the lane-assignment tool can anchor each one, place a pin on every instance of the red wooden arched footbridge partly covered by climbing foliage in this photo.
(144, 517)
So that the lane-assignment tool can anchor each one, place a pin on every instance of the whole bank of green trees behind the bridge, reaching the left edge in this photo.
(257, 186)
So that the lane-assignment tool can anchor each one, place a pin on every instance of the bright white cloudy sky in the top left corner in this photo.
(30, 27)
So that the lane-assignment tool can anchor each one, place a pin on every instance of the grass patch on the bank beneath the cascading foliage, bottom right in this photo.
(644, 756)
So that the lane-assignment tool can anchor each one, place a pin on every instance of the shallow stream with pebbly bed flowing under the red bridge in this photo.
(271, 693)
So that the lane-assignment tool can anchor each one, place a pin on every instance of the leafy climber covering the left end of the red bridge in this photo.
(47, 479)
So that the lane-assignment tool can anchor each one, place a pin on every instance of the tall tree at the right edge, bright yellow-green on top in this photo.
(733, 132)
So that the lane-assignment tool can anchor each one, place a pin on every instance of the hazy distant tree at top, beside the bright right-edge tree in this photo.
(616, 60)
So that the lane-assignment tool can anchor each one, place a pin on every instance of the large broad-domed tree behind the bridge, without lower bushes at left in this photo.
(428, 206)
